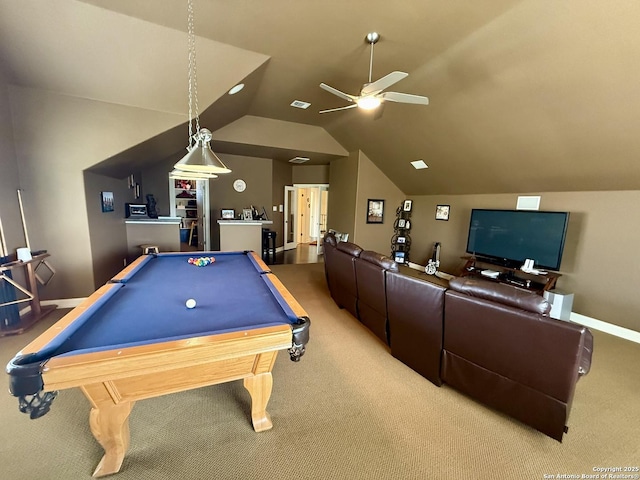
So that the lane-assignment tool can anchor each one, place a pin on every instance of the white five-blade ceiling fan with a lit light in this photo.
(372, 94)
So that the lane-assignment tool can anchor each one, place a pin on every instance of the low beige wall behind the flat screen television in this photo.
(599, 264)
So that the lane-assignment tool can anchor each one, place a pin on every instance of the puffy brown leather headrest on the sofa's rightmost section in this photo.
(501, 293)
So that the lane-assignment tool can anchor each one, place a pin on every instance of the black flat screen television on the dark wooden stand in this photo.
(509, 237)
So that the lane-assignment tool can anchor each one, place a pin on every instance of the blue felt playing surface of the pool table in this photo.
(148, 304)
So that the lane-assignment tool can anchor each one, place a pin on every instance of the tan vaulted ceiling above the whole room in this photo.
(525, 95)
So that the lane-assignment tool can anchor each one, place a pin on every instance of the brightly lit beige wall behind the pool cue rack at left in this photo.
(56, 138)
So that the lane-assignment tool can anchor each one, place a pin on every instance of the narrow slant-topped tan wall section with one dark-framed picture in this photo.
(373, 184)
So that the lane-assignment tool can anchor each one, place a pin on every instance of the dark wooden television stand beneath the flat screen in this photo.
(538, 283)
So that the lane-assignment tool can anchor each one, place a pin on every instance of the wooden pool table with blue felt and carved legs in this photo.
(135, 338)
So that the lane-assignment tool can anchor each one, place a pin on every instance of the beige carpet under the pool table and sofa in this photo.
(348, 410)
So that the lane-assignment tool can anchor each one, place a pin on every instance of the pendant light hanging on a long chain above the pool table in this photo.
(200, 158)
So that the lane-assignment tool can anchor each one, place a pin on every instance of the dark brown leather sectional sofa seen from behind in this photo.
(490, 341)
